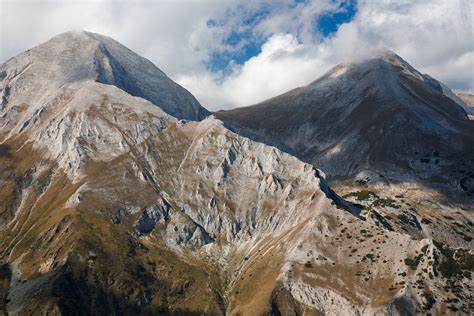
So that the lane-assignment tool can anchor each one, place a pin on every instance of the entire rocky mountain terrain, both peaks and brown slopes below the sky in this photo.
(120, 194)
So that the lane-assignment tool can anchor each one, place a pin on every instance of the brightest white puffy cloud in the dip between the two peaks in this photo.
(282, 64)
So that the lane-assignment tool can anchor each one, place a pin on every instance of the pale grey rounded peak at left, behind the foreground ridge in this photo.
(77, 56)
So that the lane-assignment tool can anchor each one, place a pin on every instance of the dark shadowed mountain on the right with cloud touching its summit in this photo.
(379, 116)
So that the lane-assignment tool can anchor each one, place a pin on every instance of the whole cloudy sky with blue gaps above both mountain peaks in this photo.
(240, 52)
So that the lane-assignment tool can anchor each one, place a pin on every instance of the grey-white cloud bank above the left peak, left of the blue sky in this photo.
(172, 34)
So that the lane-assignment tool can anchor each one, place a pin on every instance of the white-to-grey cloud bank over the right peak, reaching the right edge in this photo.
(435, 37)
